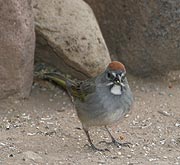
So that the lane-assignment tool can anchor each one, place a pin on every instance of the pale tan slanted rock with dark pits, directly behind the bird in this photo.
(69, 37)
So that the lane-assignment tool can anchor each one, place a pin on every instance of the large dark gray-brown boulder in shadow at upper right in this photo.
(144, 34)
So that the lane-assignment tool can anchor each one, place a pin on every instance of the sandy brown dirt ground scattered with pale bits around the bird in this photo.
(44, 129)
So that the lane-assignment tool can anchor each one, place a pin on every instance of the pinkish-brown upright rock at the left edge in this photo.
(17, 40)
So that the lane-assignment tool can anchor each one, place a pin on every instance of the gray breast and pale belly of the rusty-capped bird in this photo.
(103, 108)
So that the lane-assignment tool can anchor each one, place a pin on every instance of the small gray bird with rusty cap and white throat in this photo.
(99, 101)
